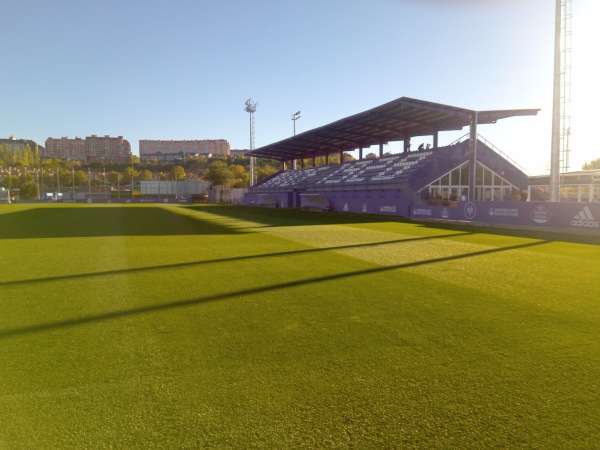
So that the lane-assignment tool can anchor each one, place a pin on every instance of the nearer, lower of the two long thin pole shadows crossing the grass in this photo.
(245, 292)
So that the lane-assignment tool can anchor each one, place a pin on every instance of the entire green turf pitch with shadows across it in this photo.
(158, 326)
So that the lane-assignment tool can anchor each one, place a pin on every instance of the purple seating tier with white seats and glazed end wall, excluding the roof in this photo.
(432, 177)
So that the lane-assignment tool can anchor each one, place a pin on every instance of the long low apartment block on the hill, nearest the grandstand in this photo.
(161, 150)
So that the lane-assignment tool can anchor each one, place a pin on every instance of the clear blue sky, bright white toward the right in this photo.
(175, 69)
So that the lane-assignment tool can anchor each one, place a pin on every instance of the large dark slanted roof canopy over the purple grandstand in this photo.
(394, 121)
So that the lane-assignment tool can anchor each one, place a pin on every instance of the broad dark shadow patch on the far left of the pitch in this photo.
(84, 221)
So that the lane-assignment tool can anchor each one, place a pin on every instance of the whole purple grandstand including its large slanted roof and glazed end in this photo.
(434, 176)
